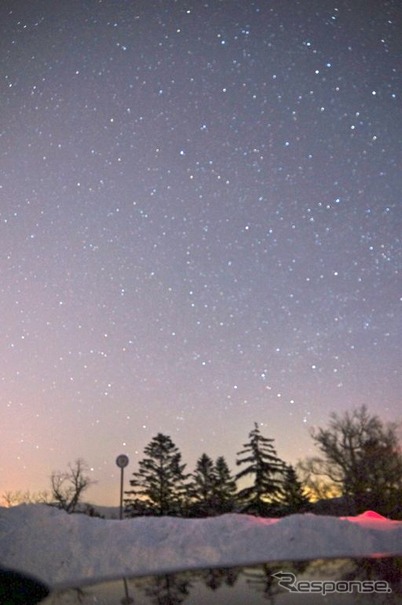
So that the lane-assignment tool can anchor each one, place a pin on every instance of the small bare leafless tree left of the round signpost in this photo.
(68, 487)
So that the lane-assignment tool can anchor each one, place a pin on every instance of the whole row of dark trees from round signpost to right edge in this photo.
(360, 463)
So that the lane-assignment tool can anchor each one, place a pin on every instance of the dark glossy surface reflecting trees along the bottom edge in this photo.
(335, 581)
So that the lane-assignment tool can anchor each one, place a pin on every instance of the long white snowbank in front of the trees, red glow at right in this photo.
(64, 549)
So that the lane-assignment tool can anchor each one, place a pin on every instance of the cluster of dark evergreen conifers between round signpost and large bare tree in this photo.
(162, 487)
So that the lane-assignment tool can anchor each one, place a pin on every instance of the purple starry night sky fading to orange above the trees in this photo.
(200, 227)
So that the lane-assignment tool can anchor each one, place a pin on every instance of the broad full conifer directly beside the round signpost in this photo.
(159, 485)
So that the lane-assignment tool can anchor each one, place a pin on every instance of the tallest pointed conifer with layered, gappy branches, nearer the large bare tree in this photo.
(267, 471)
